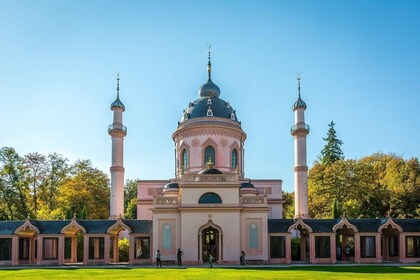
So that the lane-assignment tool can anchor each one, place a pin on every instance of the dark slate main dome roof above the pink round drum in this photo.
(199, 108)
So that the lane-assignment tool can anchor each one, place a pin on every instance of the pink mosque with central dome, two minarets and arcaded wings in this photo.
(210, 208)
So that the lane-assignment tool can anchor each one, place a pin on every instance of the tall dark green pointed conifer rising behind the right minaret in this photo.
(332, 150)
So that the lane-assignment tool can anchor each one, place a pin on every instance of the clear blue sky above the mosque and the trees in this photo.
(359, 62)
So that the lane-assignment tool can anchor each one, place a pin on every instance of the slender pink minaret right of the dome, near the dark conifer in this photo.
(299, 132)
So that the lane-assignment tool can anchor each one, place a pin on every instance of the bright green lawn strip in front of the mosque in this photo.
(301, 273)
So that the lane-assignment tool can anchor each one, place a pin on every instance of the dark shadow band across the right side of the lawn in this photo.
(338, 269)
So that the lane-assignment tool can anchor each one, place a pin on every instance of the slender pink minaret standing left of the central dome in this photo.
(117, 131)
